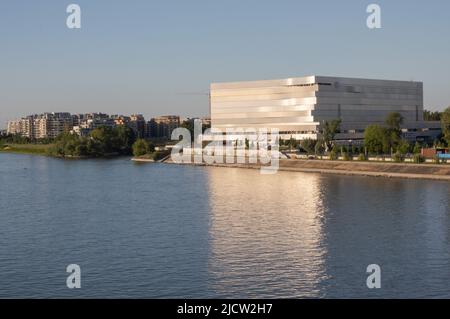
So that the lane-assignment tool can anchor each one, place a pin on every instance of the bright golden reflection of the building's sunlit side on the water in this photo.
(266, 231)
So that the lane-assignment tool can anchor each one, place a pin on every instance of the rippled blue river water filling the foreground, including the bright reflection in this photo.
(168, 231)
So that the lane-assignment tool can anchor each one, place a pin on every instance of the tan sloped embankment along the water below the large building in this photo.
(375, 169)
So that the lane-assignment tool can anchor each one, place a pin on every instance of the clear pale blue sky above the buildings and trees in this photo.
(144, 56)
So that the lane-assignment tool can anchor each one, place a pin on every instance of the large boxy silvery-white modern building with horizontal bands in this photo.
(298, 107)
